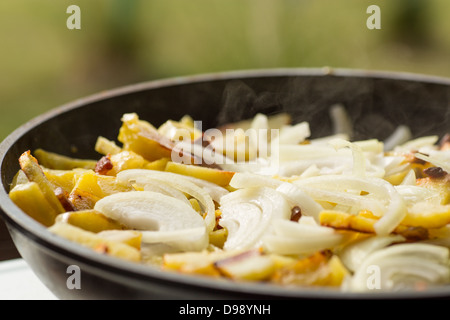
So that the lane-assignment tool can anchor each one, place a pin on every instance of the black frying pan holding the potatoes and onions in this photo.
(377, 103)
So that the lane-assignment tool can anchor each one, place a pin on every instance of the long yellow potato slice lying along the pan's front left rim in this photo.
(96, 242)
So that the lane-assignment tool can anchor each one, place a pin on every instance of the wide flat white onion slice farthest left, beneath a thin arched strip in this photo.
(164, 217)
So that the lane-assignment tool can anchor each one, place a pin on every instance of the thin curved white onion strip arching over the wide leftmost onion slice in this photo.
(141, 176)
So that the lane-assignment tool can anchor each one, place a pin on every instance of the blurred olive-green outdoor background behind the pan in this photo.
(43, 64)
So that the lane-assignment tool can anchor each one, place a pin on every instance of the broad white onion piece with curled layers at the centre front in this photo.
(248, 213)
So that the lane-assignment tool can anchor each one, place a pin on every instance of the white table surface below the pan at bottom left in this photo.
(18, 282)
